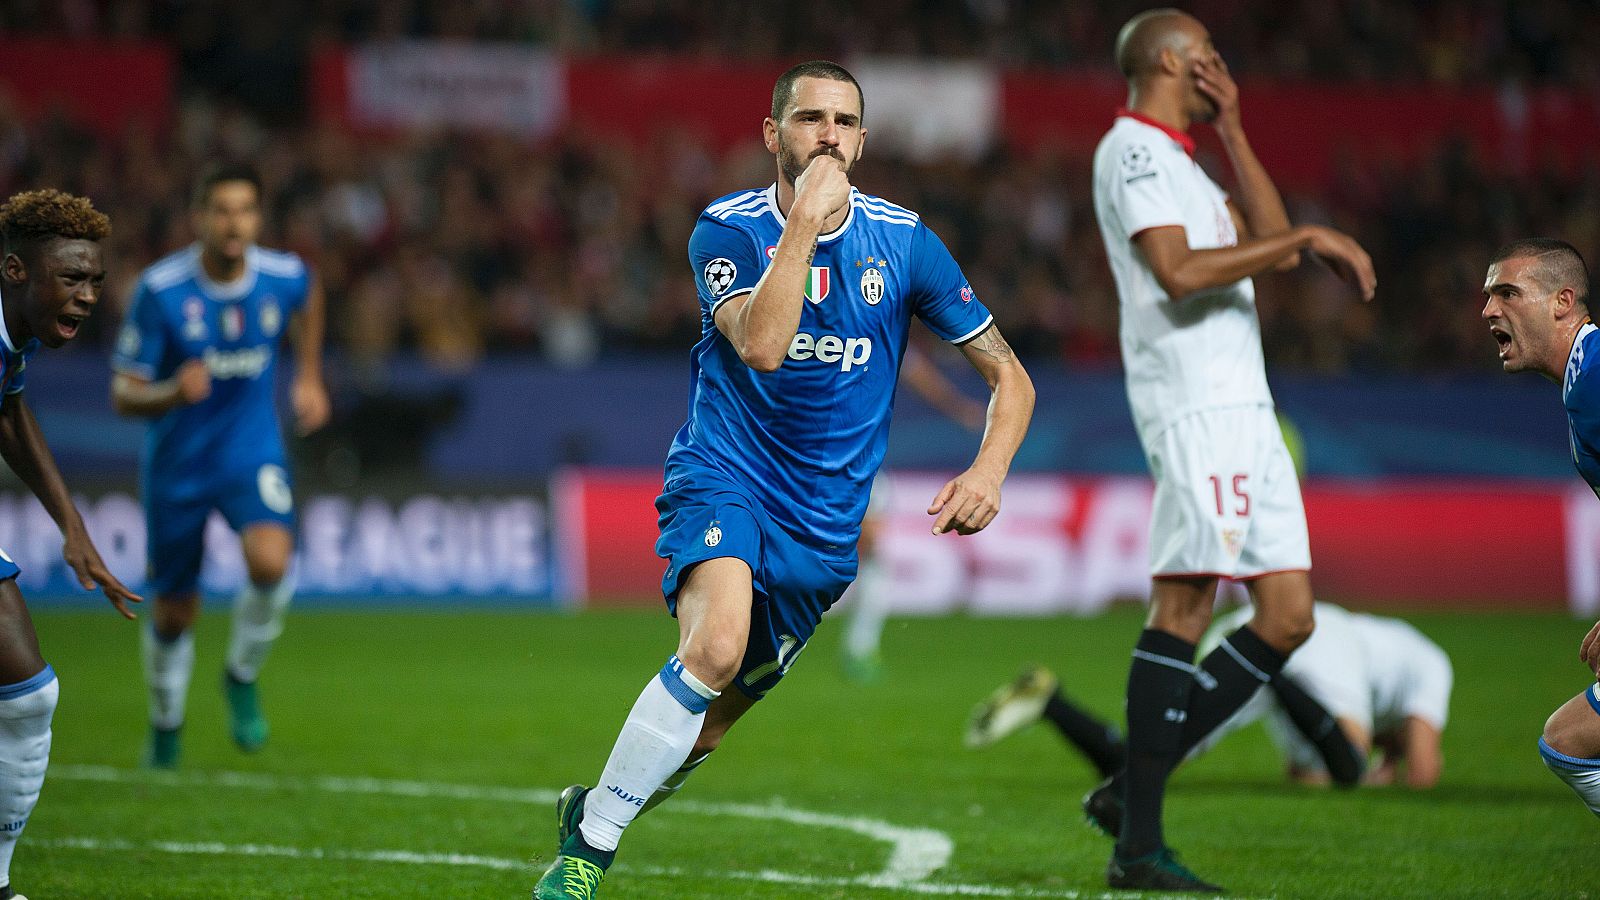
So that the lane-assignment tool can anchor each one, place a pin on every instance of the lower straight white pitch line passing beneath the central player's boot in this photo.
(466, 861)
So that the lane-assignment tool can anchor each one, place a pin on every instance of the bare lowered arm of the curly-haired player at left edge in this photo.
(23, 448)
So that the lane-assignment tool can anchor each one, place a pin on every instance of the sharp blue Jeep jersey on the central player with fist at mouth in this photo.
(809, 438)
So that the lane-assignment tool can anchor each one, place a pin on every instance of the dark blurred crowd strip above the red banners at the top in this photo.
(1444, 41)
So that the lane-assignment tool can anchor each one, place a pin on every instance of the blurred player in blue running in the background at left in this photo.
(198, 356)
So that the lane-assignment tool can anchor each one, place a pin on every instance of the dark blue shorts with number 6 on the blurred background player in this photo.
(177, 524)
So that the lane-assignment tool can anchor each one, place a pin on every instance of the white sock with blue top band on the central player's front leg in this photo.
(657, 739)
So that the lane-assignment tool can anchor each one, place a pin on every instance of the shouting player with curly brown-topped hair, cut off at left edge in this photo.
(50, 281)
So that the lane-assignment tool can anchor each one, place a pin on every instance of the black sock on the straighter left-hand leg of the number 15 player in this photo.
(1159, 686)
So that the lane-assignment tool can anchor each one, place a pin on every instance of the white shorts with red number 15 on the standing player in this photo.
(1226, 497)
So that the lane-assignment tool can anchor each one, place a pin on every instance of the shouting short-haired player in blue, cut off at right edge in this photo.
(1537, 303)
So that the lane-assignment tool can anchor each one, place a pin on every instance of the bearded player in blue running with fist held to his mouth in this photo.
(807, 292)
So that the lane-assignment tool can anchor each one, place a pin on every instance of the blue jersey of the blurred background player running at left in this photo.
(180, 315)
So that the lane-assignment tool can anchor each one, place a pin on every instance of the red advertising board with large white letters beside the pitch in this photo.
(1079, 544)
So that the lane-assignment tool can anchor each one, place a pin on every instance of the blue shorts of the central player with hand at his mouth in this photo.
(706, 516)
